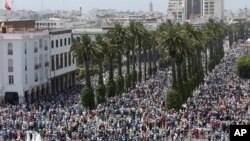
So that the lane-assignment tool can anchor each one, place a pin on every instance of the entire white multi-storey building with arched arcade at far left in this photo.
(27, 67)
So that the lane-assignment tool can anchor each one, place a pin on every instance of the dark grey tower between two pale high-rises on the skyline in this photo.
(193, 8)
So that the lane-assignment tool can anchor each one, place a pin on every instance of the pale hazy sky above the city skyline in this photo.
(133, 5)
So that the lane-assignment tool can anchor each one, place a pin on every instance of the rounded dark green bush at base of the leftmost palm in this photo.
(87, 97)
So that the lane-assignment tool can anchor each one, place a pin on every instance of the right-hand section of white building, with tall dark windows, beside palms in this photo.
(63, 64)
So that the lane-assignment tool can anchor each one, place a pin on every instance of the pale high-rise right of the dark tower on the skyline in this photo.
(213, 9)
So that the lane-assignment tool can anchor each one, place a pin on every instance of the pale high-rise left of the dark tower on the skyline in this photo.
(176, 9)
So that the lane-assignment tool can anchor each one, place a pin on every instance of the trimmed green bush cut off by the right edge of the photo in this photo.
(243, 66)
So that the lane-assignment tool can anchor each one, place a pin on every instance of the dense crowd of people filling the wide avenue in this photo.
(137, 115)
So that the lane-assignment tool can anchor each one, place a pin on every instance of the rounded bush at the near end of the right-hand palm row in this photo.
(173, 100)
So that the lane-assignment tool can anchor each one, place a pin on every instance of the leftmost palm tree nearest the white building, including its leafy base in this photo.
(83, 49)
